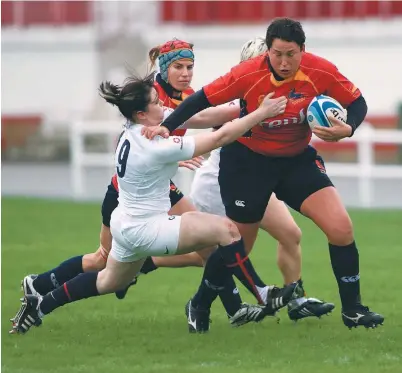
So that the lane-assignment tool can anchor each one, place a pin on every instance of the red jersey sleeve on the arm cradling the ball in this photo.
(340, 88)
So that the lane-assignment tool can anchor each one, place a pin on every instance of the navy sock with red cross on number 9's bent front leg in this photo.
(240, 265)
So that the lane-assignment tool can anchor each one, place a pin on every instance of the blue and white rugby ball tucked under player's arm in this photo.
(321, 107)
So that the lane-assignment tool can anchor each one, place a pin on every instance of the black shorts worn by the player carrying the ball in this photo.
(247, 180)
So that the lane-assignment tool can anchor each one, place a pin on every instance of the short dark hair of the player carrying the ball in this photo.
(285, 29)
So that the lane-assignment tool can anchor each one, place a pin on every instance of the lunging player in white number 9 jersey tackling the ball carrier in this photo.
(141, 225)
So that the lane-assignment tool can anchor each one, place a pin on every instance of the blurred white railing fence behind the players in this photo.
(365, 169)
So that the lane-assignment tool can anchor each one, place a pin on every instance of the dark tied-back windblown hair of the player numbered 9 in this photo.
(133, 96)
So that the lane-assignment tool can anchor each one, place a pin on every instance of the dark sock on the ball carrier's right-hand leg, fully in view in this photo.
(345, 264)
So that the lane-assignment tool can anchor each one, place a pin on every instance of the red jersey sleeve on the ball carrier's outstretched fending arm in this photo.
(230, 86)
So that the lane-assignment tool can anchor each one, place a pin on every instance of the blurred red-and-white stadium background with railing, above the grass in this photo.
(58, 136)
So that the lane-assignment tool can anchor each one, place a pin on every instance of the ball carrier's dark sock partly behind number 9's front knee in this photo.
(213, 281)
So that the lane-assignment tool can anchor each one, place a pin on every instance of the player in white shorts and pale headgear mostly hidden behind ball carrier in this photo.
(277, 220)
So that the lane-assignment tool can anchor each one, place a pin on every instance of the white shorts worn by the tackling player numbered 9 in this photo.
(134, 238)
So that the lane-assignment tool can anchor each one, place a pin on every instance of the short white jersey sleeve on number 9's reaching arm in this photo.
(173, 149)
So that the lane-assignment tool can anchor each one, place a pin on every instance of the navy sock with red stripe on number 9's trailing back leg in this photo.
(81, 287)
